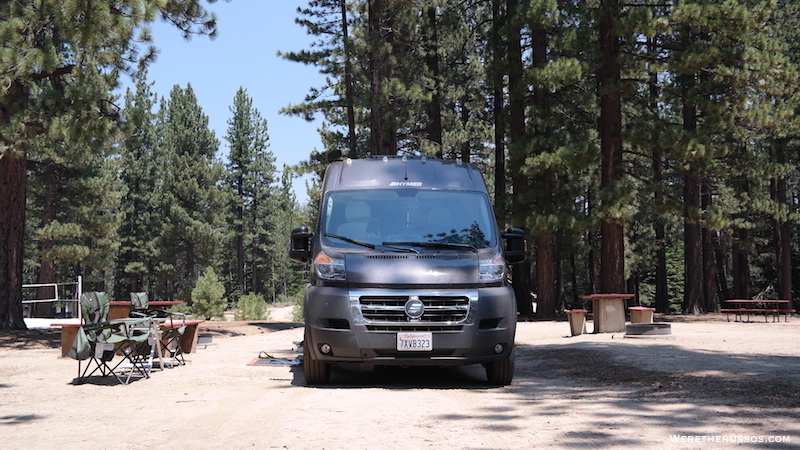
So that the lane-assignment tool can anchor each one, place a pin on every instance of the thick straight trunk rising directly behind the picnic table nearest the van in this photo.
(612, 247)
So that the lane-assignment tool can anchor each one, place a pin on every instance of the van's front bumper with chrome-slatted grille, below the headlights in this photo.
(467, 326)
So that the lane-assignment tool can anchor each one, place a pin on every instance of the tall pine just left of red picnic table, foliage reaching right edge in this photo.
(723, 67)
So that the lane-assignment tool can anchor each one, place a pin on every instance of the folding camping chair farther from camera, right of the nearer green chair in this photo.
(169, 334)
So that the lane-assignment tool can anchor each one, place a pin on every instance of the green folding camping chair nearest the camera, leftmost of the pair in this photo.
(98, 340)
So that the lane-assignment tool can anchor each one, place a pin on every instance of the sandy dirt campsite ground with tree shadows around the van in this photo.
(710, 384)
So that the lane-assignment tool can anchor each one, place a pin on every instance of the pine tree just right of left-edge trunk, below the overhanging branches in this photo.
(73, 215)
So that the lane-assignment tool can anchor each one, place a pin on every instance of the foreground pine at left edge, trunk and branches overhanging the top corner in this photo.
(59, 62)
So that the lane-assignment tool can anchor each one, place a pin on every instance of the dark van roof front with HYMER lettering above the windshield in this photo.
(389, 172)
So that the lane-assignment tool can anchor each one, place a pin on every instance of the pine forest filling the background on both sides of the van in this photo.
(647, 147)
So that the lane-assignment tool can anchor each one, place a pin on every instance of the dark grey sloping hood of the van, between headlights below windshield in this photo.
(404, 269)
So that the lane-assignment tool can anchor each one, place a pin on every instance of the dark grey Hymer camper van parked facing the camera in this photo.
(408, 268)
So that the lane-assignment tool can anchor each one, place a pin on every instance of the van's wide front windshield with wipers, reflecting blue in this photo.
(408, 216)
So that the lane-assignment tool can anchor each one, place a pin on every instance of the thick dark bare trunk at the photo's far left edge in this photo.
(13, 172)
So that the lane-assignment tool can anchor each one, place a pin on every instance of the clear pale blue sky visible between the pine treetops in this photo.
(244, 54)
